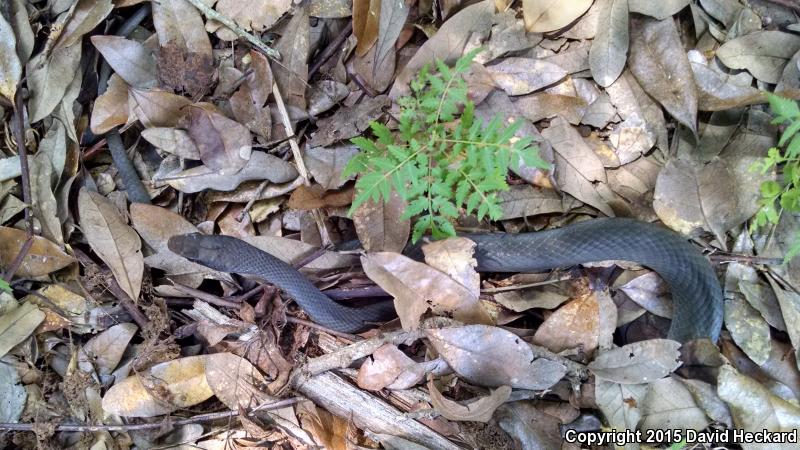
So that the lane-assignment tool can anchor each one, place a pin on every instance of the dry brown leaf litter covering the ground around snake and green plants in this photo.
(649, 112)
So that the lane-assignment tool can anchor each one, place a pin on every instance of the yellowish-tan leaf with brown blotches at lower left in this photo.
(164, 388)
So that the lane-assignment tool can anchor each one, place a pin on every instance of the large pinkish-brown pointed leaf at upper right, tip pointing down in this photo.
(659, 63)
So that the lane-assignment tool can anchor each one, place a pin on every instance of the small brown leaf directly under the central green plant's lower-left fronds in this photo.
(379, 227)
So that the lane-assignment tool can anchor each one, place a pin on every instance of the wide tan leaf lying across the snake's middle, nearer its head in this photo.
(417, 287)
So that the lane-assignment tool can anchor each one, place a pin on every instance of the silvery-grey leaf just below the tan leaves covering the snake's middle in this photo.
(472, 351)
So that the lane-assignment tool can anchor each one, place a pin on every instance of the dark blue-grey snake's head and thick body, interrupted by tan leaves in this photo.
(696, 291)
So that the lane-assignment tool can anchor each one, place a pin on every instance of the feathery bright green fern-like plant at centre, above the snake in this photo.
(442, 160)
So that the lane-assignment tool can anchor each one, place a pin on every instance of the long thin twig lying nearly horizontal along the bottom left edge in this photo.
(152, 426)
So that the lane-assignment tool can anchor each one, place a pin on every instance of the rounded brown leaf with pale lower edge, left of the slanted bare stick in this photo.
(224, 145)
